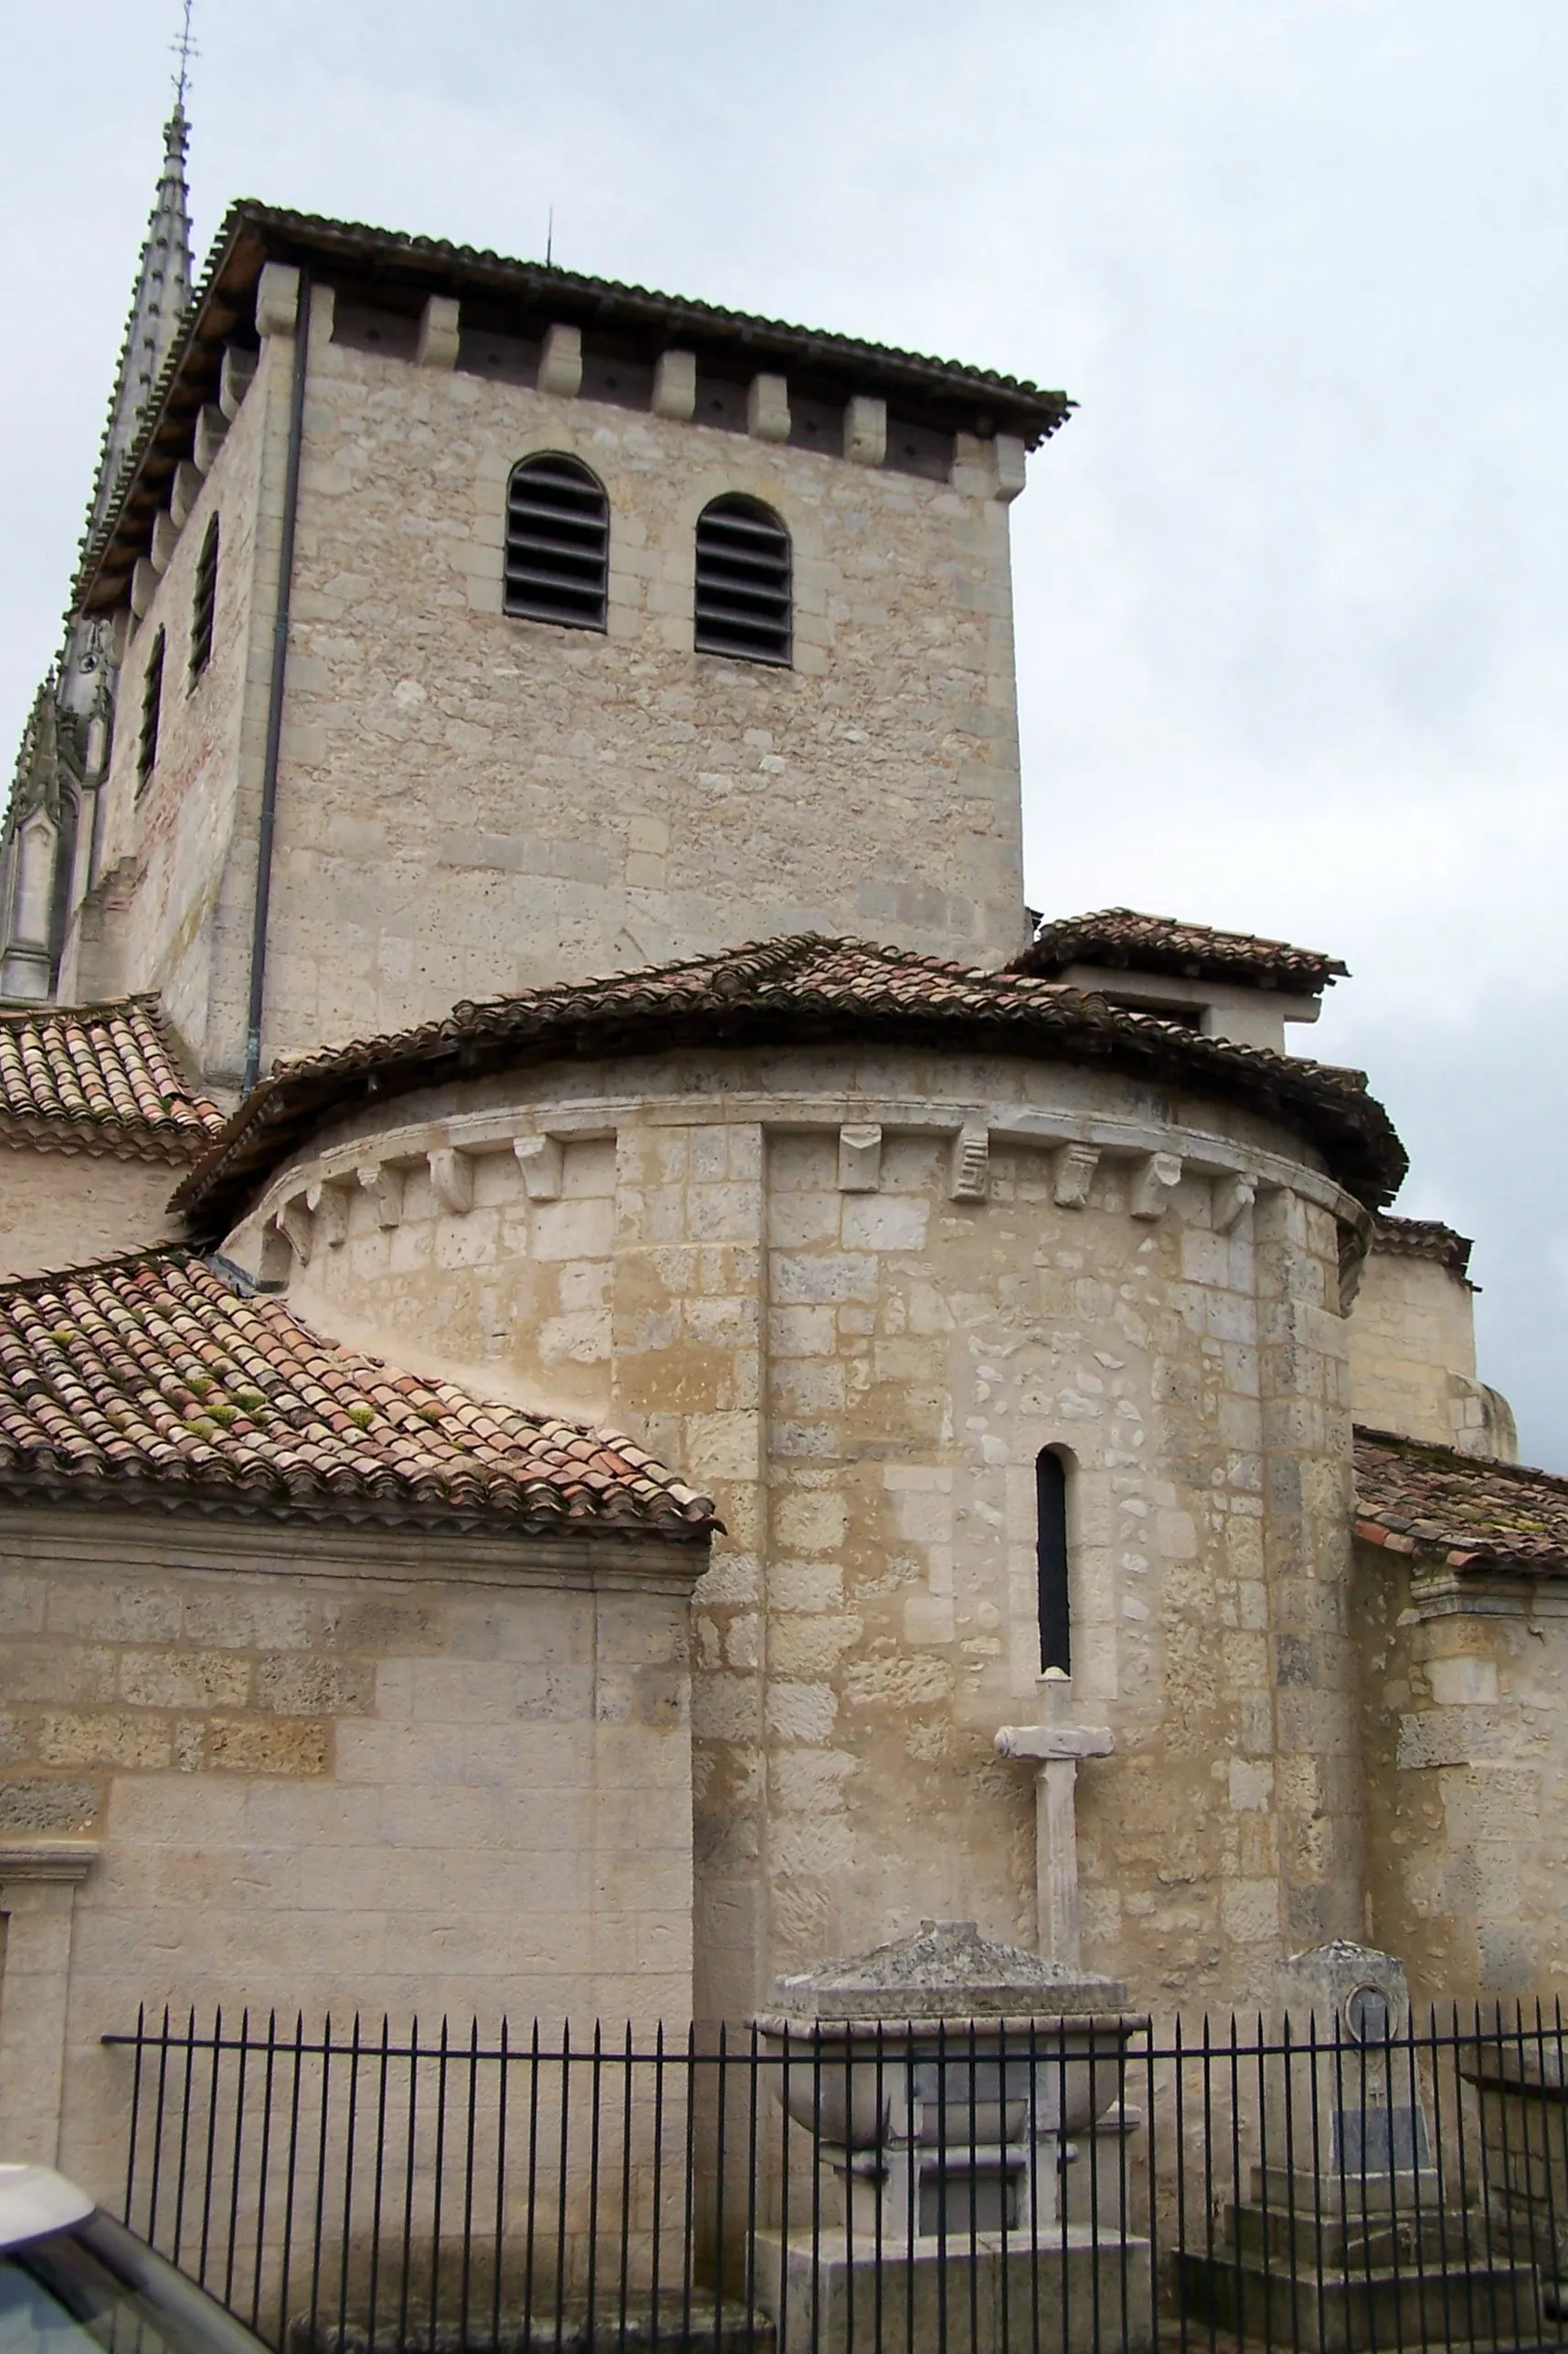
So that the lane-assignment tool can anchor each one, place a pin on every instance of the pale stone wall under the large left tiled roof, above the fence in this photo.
(347, 1774)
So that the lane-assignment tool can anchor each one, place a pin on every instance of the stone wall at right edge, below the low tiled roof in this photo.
(1466, 1713)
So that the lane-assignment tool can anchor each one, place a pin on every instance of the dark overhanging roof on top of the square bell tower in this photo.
(510, 295)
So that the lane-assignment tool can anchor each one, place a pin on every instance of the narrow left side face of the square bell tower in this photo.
(175, 865)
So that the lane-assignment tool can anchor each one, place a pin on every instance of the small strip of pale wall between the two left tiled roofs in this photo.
(69, 1209)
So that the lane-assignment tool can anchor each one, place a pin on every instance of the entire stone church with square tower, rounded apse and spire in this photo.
(618, 1371)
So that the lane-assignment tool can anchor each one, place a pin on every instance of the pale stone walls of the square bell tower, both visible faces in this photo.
(470, 802)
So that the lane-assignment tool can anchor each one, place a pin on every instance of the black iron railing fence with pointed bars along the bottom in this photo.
(882, 2190)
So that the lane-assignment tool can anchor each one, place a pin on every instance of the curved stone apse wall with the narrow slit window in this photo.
(856, 1296)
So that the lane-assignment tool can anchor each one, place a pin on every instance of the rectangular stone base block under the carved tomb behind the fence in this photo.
(995, 2296)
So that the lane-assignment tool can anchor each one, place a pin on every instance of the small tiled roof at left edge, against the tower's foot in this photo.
(100, 1079)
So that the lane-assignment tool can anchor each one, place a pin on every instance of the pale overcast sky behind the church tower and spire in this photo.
(1294, 583)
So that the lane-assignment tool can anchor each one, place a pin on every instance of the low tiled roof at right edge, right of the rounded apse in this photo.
(1468, 1510)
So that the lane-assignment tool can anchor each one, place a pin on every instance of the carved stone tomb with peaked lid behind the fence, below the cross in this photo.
(948, 2084)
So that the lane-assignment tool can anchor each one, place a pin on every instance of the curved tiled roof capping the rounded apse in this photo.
(797, 992)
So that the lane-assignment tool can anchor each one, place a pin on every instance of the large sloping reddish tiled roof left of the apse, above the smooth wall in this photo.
(159, 1383)
